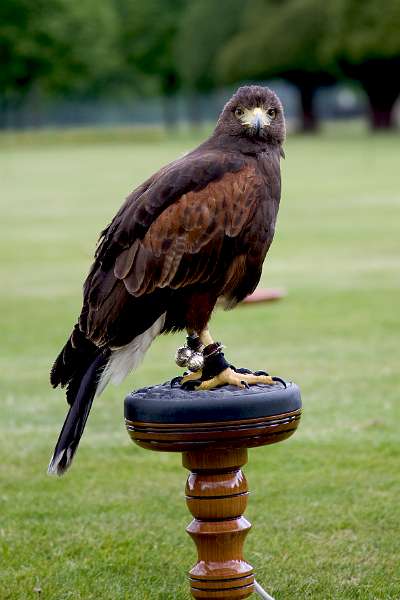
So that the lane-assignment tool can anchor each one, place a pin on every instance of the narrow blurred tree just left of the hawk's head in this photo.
(204, 29)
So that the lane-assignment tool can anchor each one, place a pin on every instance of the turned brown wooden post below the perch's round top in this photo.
(216, 495)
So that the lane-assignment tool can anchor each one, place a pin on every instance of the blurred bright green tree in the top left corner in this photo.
(55, 47)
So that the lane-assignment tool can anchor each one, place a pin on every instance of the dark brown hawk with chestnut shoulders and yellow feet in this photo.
(195, 232)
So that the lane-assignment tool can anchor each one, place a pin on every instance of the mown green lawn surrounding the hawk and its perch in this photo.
(325, 505)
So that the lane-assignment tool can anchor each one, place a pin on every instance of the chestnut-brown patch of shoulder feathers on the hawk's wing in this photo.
(190, 231)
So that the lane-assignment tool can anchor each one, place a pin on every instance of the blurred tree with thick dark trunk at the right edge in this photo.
(365, 42)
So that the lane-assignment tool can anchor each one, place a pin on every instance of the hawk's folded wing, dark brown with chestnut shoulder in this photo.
(170, 236)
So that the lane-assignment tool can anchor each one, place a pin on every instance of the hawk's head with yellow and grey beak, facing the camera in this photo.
(253, 112)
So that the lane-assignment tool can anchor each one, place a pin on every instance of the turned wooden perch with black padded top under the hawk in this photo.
(213, 430)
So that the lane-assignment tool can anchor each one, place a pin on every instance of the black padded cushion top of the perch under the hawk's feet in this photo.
(163, 404)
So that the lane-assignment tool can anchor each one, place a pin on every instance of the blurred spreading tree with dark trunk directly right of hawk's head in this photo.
(282, 39)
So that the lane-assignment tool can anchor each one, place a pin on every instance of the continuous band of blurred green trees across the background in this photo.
(103, 47)
